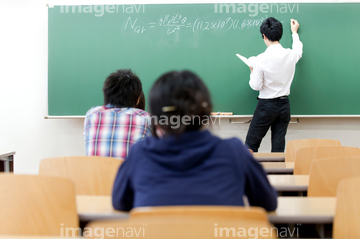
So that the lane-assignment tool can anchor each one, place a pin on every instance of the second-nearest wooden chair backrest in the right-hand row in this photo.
(325, 174)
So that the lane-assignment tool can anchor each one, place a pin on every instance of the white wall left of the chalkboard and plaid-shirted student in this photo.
(23, 90)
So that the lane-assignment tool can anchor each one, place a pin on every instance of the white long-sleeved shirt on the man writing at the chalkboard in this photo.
(274, 69)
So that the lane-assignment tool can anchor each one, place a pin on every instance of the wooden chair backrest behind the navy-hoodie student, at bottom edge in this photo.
(192, 222)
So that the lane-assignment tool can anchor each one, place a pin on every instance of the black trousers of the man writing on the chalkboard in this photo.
(269, 113)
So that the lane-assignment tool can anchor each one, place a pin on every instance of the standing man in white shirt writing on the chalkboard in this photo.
(272, 76)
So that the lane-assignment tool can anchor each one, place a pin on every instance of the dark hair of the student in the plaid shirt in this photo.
(122, 88)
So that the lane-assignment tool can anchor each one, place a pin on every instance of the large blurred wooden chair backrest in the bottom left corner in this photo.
(36, 205)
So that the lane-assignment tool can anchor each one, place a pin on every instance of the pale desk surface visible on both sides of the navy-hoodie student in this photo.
(290, 209)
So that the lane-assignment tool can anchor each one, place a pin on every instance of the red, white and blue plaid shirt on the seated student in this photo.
(110, 131)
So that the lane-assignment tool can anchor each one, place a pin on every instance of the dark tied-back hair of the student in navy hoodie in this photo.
(181, 95)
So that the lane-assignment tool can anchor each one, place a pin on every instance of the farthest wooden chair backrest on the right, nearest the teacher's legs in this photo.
(293, 145)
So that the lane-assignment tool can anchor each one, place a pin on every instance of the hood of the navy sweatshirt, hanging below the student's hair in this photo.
(183, 152)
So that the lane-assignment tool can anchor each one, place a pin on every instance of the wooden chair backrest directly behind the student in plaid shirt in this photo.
(92, 175)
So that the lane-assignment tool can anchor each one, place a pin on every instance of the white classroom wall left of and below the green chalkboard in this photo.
(23, 95)
